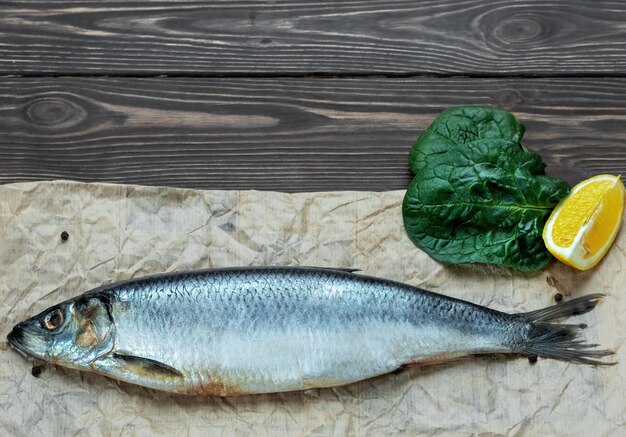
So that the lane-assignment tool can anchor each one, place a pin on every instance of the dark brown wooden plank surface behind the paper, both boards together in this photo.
(298, 96)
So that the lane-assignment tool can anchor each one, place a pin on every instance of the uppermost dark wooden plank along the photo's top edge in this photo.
(503, 37)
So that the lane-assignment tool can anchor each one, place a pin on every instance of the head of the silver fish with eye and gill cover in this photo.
(71, 334)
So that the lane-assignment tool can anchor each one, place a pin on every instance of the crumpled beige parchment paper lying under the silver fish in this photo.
(118, 232)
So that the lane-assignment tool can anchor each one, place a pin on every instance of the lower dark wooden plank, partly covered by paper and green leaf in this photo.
(281, 134)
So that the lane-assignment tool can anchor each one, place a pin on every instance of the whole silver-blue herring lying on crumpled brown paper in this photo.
(251, 330)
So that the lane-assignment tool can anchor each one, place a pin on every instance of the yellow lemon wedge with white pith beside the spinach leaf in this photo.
(584, 224)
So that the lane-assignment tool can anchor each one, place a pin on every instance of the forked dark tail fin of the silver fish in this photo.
(561, 341)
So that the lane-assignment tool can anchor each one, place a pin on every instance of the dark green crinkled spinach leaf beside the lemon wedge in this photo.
(478, 195)
